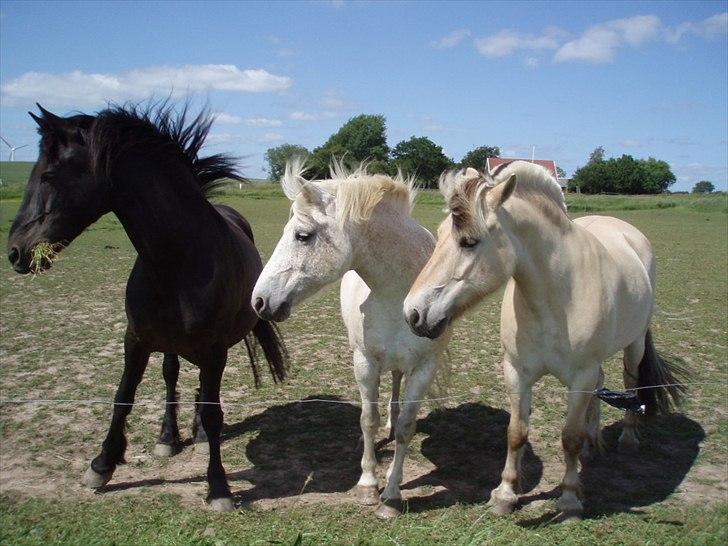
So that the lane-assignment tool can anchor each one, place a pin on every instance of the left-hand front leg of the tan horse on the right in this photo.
(504, 498)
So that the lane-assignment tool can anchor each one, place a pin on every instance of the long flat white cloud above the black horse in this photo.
(77, 89)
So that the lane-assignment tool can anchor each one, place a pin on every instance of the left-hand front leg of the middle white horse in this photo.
(367, 378)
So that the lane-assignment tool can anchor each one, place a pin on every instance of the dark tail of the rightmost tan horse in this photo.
(659, 383)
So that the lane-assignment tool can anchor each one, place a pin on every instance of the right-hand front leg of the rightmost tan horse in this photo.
(572, 439)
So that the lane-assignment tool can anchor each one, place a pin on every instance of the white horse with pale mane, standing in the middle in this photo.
(357, 227)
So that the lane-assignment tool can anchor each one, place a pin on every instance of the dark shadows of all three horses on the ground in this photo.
(314, 446)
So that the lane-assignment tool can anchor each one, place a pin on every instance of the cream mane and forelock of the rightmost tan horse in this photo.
(464, 190)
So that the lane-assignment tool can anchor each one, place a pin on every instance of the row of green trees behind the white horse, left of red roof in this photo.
(364, 138)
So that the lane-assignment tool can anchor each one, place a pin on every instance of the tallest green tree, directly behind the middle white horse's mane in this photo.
(362, 138)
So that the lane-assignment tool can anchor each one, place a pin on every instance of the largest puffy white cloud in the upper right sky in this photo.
(599, 43)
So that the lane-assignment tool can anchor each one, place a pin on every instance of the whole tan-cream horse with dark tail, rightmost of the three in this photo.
(576, 293)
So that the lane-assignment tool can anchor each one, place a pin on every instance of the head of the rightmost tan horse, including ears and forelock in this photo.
(474, 256)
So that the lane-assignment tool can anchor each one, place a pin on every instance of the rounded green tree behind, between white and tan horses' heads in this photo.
(421, 157)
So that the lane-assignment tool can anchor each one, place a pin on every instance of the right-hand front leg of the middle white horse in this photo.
(415, 389)
